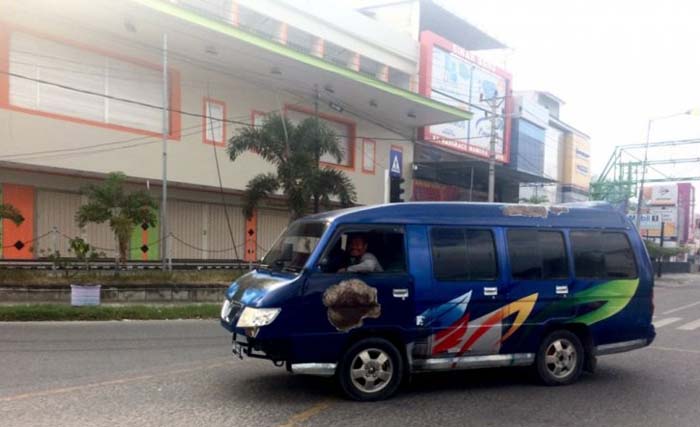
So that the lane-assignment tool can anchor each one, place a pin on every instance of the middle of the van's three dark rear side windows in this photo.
(537, 254)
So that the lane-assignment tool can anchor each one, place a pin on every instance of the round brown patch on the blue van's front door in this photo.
(349, 302)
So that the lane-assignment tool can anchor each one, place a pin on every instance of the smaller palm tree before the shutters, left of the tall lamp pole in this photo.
(109, 202)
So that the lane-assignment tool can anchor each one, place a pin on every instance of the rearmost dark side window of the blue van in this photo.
(602, 255)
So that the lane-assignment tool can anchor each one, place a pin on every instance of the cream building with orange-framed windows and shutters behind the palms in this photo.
(82, 95)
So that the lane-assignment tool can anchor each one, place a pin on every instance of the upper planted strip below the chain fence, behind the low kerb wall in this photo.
(129, 277)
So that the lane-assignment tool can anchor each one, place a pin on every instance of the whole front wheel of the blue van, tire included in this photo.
(375, 350)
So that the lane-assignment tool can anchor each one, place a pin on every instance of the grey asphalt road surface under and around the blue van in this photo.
(180, 373)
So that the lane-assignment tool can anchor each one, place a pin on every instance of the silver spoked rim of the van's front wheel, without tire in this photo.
(371, 370)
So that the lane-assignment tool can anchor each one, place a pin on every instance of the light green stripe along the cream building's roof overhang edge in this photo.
(270, 46)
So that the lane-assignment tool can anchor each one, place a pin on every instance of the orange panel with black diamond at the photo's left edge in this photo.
(16, 239)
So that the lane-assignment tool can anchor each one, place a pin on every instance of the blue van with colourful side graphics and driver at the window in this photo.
(371, 295)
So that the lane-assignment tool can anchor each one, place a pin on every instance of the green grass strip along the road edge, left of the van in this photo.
(33, 312)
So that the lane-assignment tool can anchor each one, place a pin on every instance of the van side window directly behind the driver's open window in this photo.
(463, 254)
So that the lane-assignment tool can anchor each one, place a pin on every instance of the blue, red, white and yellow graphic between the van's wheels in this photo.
(482, 334)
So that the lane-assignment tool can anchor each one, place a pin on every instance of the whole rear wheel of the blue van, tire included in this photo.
(562, 363)
